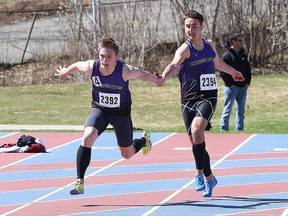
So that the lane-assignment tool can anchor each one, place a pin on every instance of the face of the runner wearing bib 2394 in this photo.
(193, 29)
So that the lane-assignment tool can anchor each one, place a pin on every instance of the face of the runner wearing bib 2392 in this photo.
(108, 59)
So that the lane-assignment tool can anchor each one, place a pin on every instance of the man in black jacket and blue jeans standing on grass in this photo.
(235, 57)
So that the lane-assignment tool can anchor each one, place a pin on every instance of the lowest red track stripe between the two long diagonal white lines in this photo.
(92, 204)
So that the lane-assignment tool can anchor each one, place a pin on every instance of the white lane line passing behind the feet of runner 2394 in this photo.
(193, 180)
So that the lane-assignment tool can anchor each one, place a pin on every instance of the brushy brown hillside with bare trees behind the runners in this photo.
(150, 31)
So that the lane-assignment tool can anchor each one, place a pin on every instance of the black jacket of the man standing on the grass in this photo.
(239, 61)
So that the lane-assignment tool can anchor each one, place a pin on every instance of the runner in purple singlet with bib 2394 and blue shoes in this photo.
(194, 63)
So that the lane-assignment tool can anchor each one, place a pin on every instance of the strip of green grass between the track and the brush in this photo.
(154, 108)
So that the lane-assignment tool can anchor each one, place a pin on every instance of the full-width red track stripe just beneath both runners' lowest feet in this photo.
(121, 201)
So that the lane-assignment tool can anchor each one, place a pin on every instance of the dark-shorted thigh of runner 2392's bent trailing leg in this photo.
(123, 128)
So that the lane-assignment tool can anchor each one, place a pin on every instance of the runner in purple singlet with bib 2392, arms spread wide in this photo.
(111, 104)
